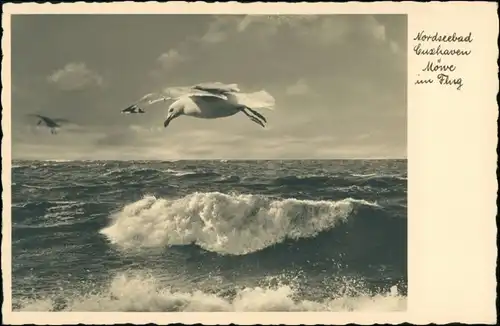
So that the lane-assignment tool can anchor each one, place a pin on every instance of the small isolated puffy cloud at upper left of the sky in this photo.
(74, 77)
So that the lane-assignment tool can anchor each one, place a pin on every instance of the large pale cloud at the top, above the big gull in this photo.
(228, 38)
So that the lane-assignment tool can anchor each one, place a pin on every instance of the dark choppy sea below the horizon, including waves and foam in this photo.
(209, 235)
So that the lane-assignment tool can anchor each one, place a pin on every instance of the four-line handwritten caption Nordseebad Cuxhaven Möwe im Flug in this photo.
(438, 70)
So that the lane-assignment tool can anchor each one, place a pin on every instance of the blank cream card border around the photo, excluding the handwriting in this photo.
(451, 166)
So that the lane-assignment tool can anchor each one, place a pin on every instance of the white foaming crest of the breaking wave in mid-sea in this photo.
(226, 224)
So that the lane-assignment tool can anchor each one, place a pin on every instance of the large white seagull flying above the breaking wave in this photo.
(210, 101)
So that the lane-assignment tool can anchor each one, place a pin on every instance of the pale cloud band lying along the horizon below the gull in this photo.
(139, 142)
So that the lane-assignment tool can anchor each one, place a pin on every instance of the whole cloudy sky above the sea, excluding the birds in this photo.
(339, 83)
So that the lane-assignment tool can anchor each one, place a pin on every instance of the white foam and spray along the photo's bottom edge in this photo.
(146, 294)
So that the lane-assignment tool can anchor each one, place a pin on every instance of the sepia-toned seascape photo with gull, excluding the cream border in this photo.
(209, 162)
